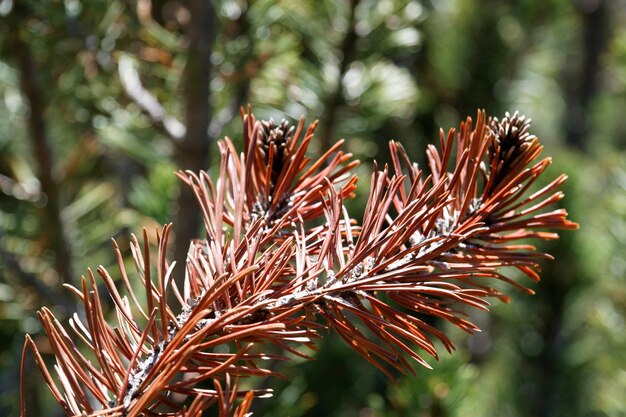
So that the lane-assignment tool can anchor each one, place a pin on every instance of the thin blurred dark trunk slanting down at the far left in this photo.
(42, 155)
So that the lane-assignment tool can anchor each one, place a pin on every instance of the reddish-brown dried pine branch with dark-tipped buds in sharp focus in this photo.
(268, 273)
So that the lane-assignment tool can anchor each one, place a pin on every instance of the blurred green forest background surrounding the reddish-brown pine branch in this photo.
(100, 101)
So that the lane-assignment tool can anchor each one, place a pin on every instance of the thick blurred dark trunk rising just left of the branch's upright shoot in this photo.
(192, 151)
